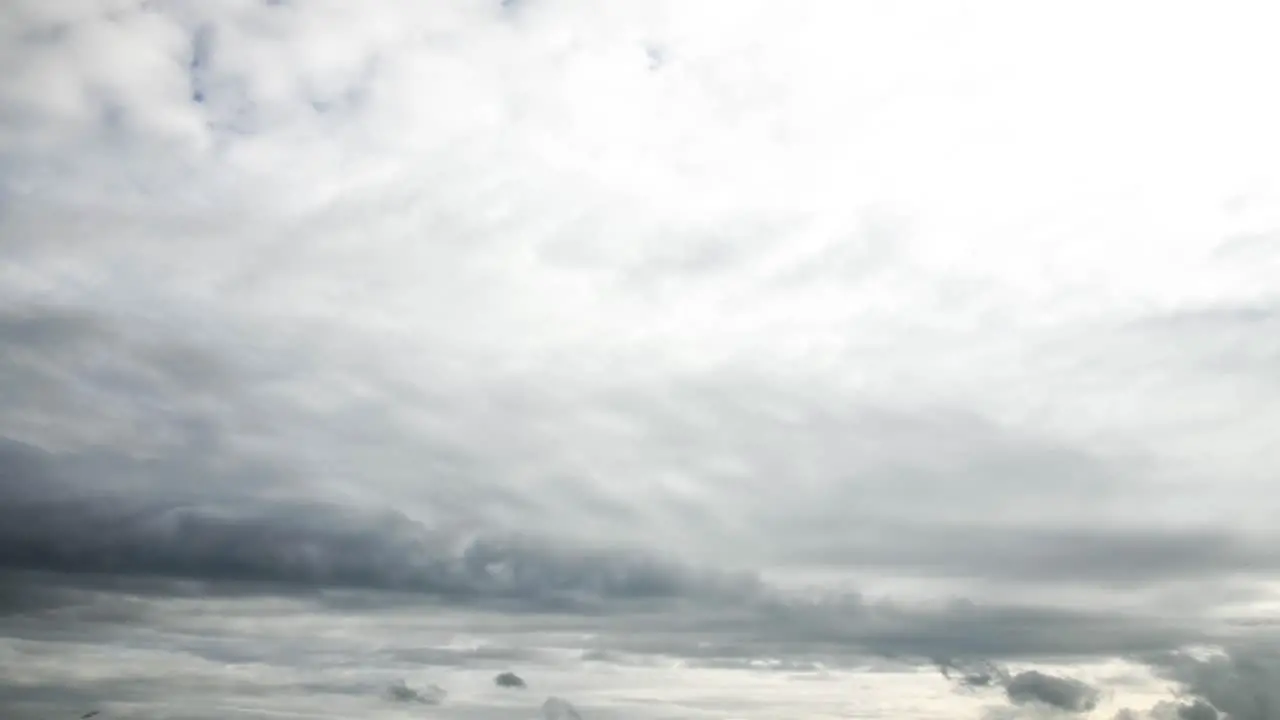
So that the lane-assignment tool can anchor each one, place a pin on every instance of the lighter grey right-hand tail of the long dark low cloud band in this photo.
(842, 630)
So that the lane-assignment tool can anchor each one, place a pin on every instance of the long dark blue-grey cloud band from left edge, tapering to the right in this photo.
(290, 546)
